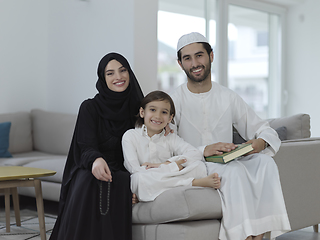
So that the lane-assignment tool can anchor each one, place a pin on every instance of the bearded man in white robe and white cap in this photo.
(206, 112)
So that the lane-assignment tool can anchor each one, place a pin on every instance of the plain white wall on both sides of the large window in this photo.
(49, 51)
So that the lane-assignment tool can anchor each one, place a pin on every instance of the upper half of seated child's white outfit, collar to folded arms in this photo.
(139, 148)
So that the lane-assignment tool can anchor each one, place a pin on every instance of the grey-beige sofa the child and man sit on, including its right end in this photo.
(189, 213)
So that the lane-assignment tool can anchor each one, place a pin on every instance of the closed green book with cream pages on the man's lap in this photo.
(229, 156)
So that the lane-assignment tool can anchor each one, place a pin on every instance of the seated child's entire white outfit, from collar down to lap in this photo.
(139, 148)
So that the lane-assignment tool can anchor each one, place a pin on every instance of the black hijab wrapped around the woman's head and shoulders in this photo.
(118, 109)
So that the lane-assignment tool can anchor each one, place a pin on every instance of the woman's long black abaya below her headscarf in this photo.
(79, 211)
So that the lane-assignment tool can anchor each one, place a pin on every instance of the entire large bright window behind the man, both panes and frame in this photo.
(246, 38)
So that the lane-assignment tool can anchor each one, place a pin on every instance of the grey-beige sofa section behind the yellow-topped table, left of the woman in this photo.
(40, 139)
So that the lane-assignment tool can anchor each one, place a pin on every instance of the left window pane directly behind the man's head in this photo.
(176, 18)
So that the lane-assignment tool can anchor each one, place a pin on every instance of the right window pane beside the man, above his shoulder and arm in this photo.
(248, 58)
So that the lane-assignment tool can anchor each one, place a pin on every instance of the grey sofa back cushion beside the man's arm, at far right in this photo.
(298, 126)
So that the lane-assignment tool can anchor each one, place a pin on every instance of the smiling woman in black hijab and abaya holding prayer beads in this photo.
(96, 201)
